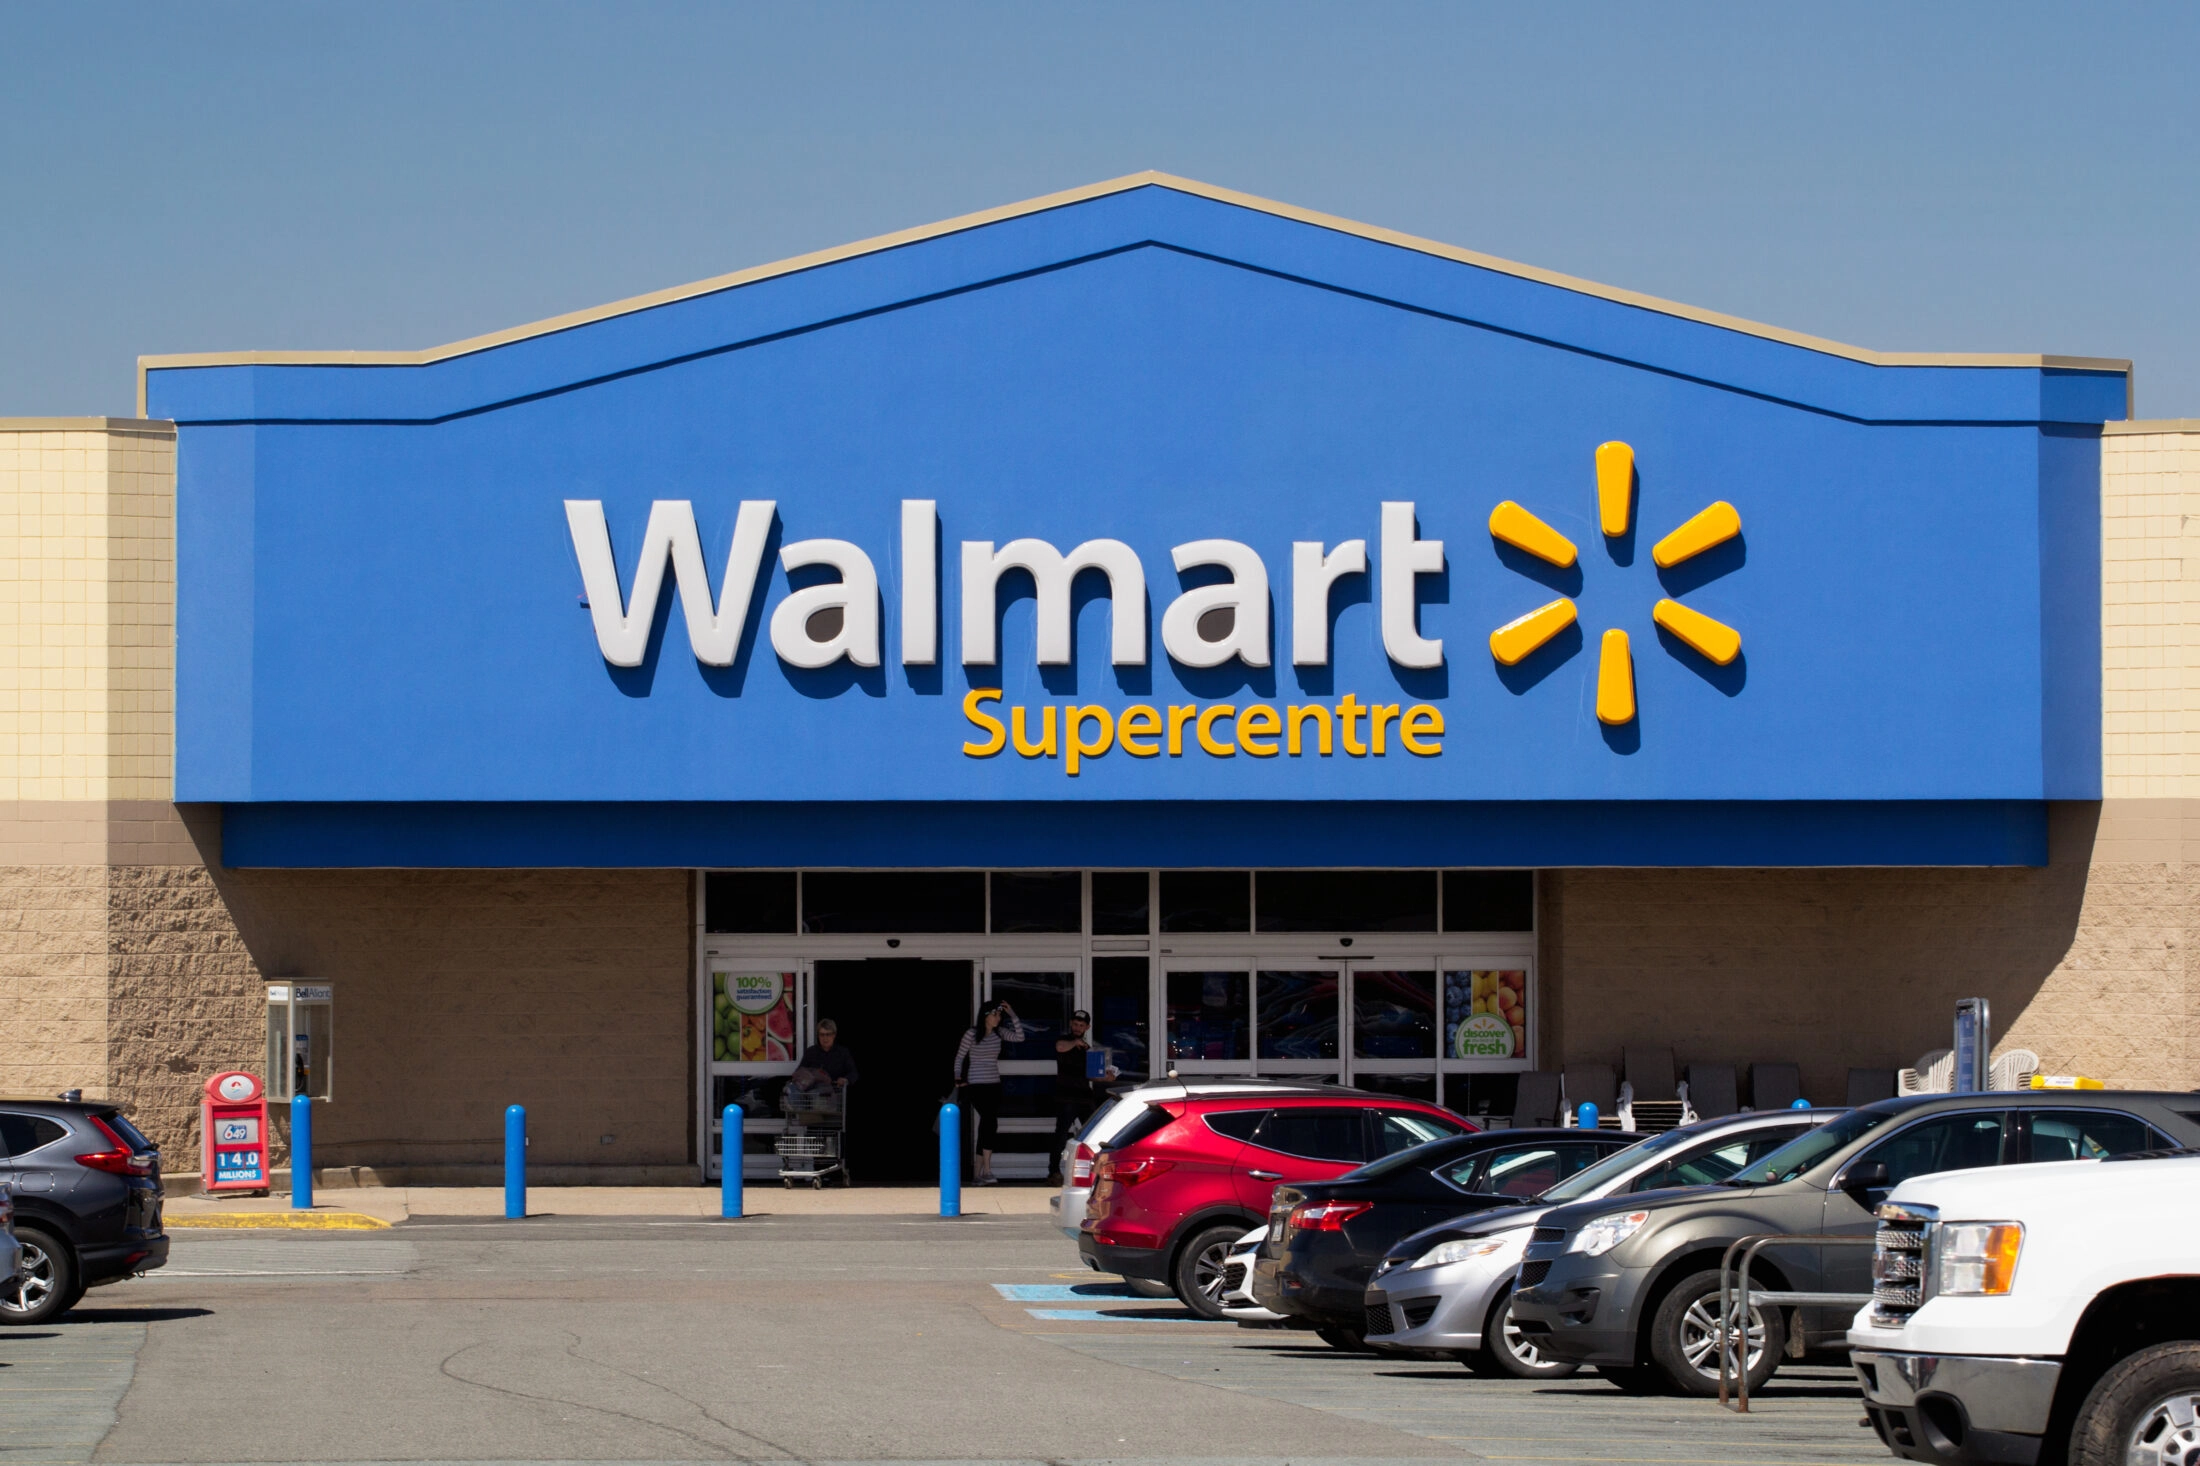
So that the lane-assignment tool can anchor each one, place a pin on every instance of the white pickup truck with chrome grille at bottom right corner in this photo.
(2038, 1315)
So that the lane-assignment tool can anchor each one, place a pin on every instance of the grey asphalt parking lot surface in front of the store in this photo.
(800, 1339)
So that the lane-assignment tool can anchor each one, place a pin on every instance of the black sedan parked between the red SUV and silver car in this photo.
(1325, 1238)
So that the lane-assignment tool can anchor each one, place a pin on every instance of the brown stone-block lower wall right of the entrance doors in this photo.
(2087, 961)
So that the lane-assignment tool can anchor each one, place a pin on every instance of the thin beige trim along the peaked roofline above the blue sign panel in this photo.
(1103, 190)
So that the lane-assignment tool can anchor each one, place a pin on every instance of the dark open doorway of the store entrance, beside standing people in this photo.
(901, 1018)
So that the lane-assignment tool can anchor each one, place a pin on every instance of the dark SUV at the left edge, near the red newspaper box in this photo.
(87, 1190)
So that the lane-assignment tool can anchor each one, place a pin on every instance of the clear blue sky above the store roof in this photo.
(1908, 177)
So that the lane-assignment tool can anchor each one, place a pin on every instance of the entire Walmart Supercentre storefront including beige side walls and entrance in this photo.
(1314, 650)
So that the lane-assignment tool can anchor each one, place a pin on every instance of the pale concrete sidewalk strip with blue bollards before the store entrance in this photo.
(390, 1205)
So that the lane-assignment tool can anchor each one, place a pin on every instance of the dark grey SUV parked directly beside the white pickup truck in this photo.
(1631, 1284)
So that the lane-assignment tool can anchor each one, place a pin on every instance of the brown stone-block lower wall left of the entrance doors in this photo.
(459, 994)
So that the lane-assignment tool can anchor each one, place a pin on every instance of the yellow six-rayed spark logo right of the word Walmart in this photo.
(1616, 664)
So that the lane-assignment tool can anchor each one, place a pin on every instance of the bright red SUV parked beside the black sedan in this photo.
(1193, 1172)
